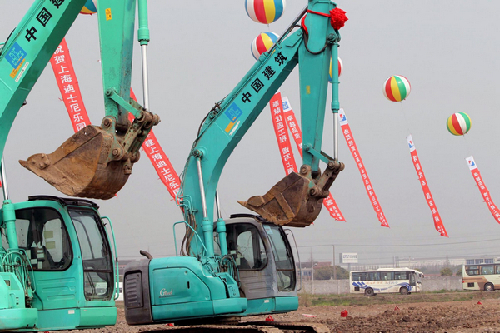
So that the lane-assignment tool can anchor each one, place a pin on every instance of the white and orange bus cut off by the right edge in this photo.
(481, 277)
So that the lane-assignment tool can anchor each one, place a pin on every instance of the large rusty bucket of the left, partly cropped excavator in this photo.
(82, 166)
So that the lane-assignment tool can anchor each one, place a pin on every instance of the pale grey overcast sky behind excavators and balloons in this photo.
(199, 51)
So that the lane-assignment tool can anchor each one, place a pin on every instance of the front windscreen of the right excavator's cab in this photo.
(283, 257)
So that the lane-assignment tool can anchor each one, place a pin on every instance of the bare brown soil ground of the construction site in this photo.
(383, 313)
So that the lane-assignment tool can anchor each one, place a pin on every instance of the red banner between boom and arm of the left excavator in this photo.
(68, 86)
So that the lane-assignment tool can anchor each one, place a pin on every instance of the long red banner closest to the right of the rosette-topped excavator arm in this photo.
(351, 144)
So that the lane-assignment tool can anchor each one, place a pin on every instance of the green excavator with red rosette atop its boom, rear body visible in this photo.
(243, 265)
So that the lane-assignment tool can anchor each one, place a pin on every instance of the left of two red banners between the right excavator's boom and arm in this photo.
(281, 132)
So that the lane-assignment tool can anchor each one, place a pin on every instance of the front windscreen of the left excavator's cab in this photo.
(96, 254)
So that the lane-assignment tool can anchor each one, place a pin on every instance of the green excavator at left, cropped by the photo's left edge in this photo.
(58, 266)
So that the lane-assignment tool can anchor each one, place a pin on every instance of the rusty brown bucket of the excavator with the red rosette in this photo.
(288, 202)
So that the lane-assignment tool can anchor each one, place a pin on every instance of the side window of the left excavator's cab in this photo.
(42, 235)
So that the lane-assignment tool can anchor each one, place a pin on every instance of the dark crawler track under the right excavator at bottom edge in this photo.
(251, 327)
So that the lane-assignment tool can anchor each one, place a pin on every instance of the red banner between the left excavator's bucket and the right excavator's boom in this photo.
(159, 160)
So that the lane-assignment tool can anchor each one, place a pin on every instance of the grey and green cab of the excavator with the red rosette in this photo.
(265, 263)
